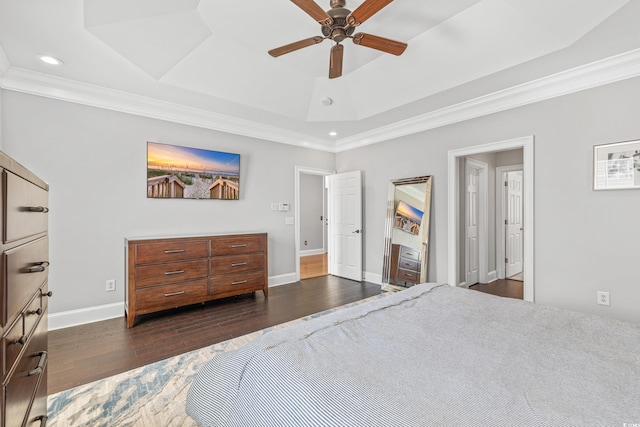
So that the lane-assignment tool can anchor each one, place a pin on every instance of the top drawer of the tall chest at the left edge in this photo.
(26, 208)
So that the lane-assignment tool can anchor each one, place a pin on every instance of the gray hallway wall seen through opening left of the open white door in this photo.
(311, 209)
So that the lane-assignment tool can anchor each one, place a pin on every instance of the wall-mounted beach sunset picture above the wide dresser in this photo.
(178, 172)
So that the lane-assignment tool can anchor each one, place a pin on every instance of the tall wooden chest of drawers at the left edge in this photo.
(23, 296)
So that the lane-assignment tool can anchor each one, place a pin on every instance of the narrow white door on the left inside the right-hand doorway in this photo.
(472, 251)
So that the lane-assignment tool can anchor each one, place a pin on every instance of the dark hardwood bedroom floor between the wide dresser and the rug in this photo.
(87, 353)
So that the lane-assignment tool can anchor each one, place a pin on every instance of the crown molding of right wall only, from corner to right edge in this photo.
(599, 73)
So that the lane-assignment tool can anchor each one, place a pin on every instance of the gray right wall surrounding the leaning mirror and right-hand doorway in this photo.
(585, 240)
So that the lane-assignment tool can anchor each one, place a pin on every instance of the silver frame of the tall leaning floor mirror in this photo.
(391, 207)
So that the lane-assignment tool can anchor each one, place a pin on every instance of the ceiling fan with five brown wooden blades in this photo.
(338, 24)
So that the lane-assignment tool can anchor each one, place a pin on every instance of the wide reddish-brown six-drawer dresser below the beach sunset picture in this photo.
(164, 273)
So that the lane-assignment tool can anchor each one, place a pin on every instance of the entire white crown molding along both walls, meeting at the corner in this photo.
(609, 70)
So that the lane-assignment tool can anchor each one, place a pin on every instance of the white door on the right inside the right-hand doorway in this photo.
(514, 229)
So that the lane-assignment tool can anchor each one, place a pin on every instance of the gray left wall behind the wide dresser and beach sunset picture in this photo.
(95, 163)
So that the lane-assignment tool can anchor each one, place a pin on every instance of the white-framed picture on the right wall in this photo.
(616, 166)
